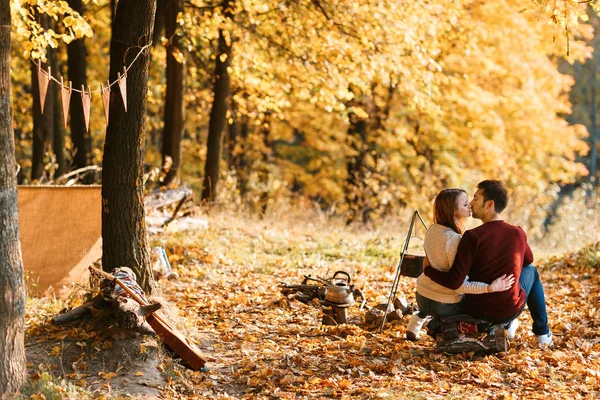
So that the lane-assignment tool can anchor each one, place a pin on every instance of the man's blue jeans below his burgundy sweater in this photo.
(536, 301)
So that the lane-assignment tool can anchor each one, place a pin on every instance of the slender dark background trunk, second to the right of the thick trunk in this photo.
(218, 112)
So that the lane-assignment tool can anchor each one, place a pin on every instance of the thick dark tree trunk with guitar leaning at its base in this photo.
(124, 241)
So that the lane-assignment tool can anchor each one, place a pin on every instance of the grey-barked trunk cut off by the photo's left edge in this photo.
(12, 301)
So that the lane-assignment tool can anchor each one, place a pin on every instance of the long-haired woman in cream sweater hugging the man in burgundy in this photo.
(450, 209)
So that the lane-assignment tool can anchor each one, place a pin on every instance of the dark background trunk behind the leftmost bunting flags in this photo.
(43, 124)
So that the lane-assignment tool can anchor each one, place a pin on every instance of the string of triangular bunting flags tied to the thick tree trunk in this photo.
(44, 78)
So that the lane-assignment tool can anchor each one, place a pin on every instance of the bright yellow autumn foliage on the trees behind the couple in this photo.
(451, 92)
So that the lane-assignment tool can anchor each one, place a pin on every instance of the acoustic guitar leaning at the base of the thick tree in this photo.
(171, 337)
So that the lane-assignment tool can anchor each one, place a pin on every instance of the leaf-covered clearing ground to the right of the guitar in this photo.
(264, 346)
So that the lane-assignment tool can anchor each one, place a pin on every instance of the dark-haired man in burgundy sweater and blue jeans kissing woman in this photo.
(489, 251)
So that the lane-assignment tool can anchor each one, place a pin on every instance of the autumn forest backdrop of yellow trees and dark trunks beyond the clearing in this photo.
(356, 109)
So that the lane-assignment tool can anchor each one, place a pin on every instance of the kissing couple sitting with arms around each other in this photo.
(493, 255)
